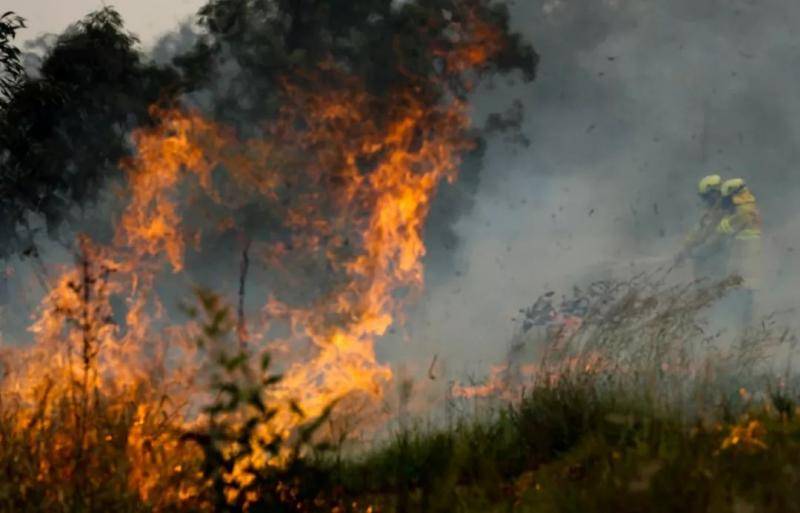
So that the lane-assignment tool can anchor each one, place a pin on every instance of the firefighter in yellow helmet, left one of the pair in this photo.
(703, 245)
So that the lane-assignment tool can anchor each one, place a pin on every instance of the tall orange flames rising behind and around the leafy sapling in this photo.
(343, 180)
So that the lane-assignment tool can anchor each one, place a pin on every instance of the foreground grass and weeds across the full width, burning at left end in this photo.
(610, 437)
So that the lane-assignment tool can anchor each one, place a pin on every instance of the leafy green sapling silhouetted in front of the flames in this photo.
(231, 441)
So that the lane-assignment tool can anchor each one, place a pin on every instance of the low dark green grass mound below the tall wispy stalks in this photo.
(577, 446)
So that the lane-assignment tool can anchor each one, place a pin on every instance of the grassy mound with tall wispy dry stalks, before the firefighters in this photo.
(643, 407)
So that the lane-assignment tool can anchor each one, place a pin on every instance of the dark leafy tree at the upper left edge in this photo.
(63, 134)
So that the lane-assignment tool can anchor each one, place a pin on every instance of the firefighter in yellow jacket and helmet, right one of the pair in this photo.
(740, 228)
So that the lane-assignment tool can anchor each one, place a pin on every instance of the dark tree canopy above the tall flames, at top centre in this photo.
(388, 47)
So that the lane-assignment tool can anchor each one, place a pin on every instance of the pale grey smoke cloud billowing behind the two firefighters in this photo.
(633, 103)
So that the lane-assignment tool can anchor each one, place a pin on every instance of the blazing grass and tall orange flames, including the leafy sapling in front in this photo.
(118, 399)
